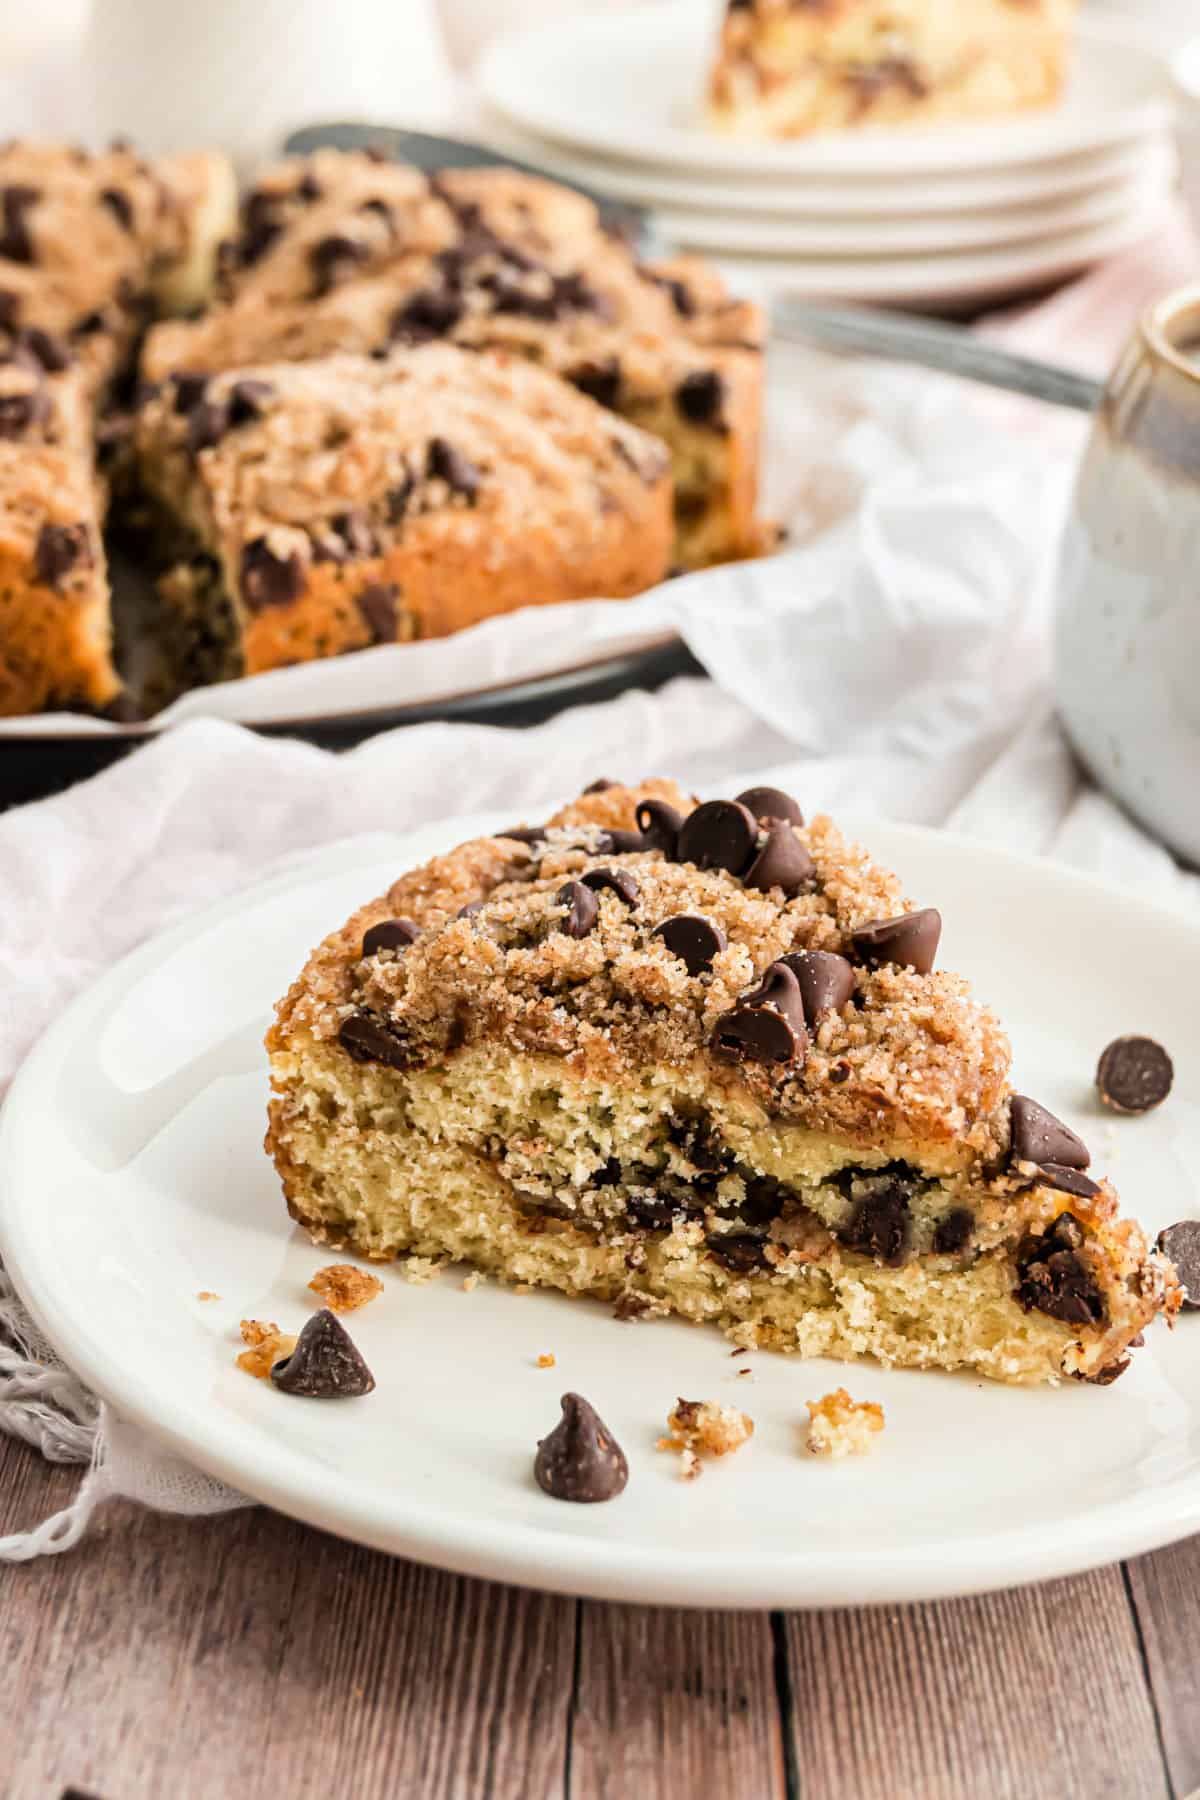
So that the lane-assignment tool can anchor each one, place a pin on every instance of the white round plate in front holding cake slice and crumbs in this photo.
(132, 1178)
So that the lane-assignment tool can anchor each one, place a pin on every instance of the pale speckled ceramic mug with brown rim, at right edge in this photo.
(1129, 613)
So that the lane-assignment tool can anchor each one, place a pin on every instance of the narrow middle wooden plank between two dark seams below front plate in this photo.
(676, 1705)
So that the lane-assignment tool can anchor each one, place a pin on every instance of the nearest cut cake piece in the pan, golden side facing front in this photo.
(300, 510)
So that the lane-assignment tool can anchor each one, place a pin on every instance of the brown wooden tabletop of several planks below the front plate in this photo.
(249, 1657)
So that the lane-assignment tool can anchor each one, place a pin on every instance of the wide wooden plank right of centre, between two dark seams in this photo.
(1035, 1695)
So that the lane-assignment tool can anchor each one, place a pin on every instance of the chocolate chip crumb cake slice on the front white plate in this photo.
(695, 1059)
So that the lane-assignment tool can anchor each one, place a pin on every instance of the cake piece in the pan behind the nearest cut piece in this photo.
(348, 253)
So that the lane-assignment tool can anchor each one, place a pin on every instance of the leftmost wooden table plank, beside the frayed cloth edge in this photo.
(256, 1657)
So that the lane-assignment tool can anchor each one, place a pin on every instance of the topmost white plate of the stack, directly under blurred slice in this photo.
(631, 85)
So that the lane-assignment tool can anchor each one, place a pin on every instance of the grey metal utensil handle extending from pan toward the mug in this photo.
(933, 345)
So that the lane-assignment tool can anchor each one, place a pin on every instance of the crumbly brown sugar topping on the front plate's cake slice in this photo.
(911, 1052)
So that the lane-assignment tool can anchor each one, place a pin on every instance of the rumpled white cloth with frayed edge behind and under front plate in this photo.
(895, 661)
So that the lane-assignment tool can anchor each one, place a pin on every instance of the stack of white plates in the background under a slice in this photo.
(954, 215)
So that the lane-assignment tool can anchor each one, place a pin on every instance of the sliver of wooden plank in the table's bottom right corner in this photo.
(1167, 1594)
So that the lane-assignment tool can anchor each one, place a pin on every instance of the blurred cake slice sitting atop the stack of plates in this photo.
(789, 67)
